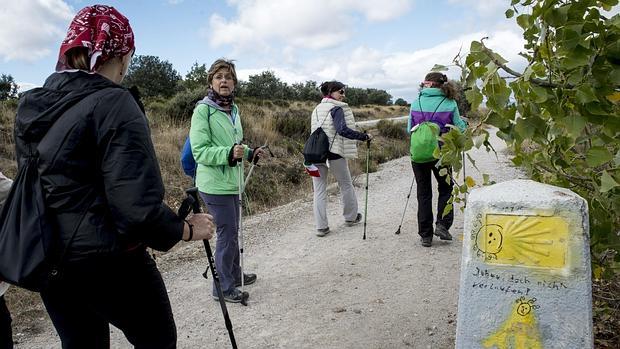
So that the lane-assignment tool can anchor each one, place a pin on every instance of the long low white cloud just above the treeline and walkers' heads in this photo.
(399, 72)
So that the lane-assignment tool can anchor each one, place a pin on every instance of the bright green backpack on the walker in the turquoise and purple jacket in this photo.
(424, 139)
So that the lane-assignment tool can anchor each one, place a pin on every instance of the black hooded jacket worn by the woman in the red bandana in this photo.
(97, 164)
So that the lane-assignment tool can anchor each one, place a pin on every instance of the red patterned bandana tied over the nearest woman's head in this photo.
(103, 30)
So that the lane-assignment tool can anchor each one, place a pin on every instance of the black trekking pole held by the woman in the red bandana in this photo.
(191, 202)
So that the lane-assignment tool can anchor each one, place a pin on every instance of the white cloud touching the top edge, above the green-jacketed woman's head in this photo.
(311, 24)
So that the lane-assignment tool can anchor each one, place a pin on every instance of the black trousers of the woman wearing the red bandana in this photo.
(126, 291)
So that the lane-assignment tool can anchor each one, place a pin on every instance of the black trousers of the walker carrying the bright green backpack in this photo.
(422, 173)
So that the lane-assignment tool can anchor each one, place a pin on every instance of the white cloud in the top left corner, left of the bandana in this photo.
(31, 28)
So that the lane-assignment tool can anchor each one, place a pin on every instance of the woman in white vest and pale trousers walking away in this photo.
(336, 119)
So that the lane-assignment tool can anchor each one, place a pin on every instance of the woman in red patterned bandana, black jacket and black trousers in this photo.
(103, 188)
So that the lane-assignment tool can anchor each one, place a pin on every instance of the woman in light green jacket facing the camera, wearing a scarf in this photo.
(216, 135)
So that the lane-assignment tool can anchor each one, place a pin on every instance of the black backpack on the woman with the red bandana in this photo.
(30, 248)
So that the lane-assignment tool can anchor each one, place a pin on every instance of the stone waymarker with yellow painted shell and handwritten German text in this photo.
(525, 270)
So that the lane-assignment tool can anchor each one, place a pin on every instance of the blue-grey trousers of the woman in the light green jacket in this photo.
(225, 212)
